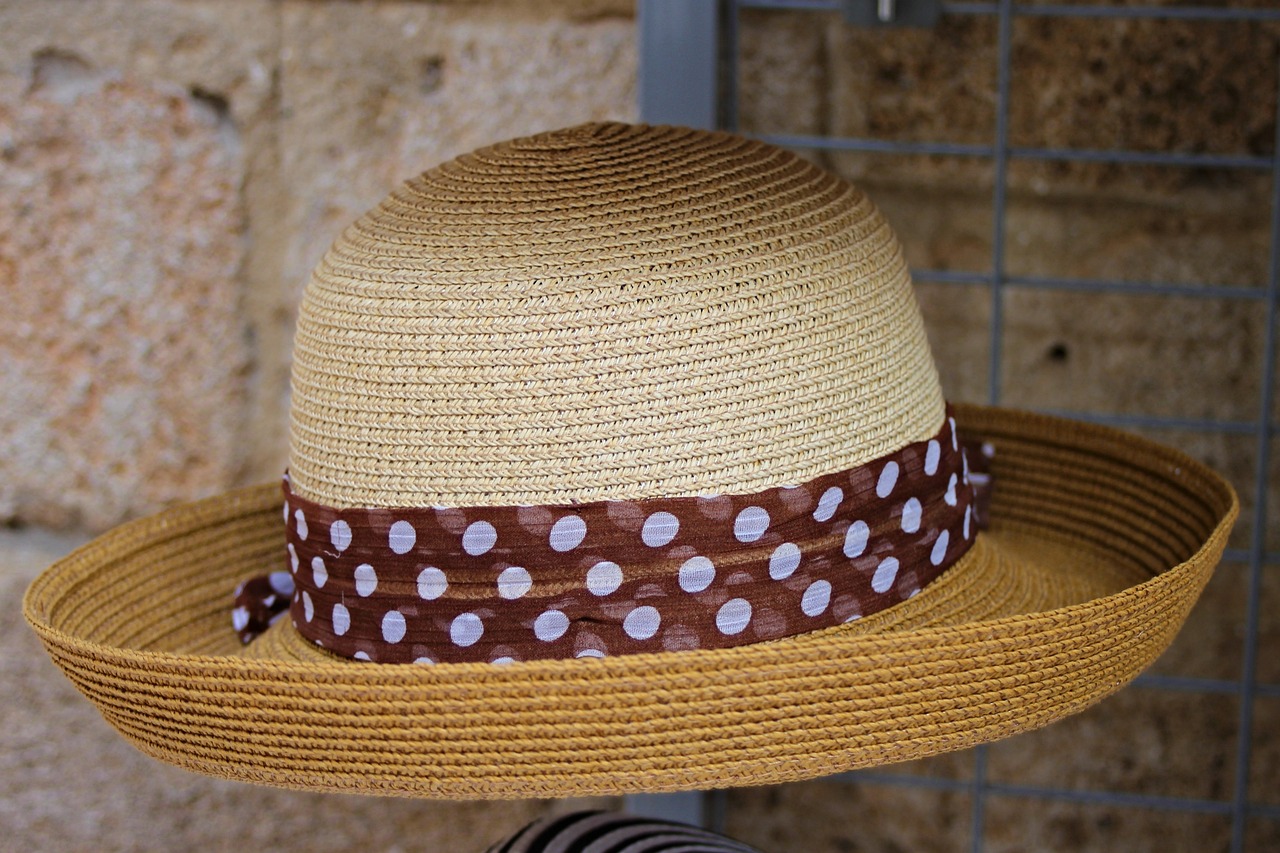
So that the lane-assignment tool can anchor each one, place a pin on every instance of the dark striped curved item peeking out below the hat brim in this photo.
(615, 833)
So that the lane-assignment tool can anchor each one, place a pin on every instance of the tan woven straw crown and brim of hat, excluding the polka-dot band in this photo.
(620, 312)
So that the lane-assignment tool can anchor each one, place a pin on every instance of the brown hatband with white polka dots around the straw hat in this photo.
(508, 585)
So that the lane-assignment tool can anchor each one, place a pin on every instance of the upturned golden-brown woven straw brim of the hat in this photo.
(1100, 544)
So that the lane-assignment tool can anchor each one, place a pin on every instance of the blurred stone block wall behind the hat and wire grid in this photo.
(172, 170)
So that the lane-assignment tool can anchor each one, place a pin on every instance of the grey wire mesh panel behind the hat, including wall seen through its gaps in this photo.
(1089, 198)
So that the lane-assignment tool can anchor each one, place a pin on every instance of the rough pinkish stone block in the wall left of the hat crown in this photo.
(122, 335)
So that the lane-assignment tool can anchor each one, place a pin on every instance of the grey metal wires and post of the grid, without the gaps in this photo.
(684, 39)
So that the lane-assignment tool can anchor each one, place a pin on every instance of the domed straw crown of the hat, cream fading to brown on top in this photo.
(609, 312)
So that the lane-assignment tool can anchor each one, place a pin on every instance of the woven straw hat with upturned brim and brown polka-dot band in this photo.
(621, 453)
